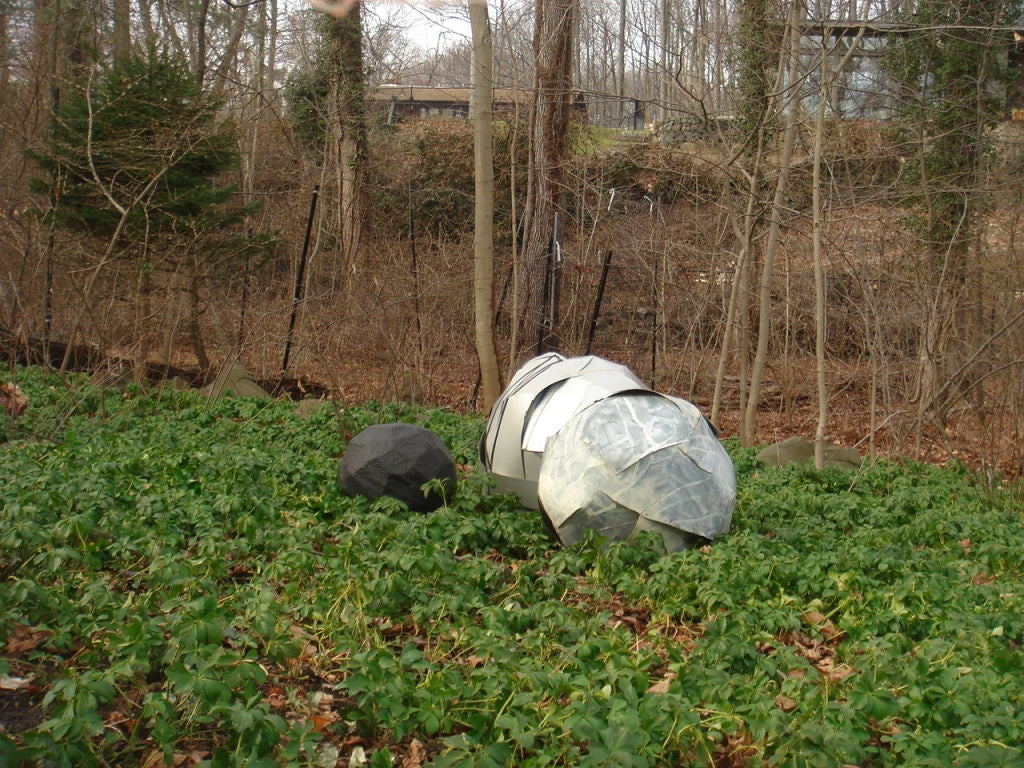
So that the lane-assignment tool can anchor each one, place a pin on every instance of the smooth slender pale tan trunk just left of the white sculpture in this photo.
(484, 230)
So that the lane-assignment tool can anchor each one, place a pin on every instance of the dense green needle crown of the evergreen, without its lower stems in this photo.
(139, 152)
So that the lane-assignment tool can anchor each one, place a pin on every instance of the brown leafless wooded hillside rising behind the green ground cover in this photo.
(817, 234)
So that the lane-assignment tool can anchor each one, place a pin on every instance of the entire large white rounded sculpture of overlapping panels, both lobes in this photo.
(593, 448)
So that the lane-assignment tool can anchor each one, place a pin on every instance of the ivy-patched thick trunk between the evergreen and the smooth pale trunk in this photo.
(346, 40)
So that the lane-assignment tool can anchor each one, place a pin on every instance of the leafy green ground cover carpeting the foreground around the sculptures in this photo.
(183, 584)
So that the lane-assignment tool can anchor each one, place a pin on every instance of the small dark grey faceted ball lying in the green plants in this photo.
(396, 460)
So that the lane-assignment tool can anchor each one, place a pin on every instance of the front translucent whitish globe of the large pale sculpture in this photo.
(638, 461)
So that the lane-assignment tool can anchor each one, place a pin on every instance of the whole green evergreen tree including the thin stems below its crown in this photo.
(135, 160)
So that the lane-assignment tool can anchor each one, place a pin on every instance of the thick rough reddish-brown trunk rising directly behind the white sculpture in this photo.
(548, 151)
